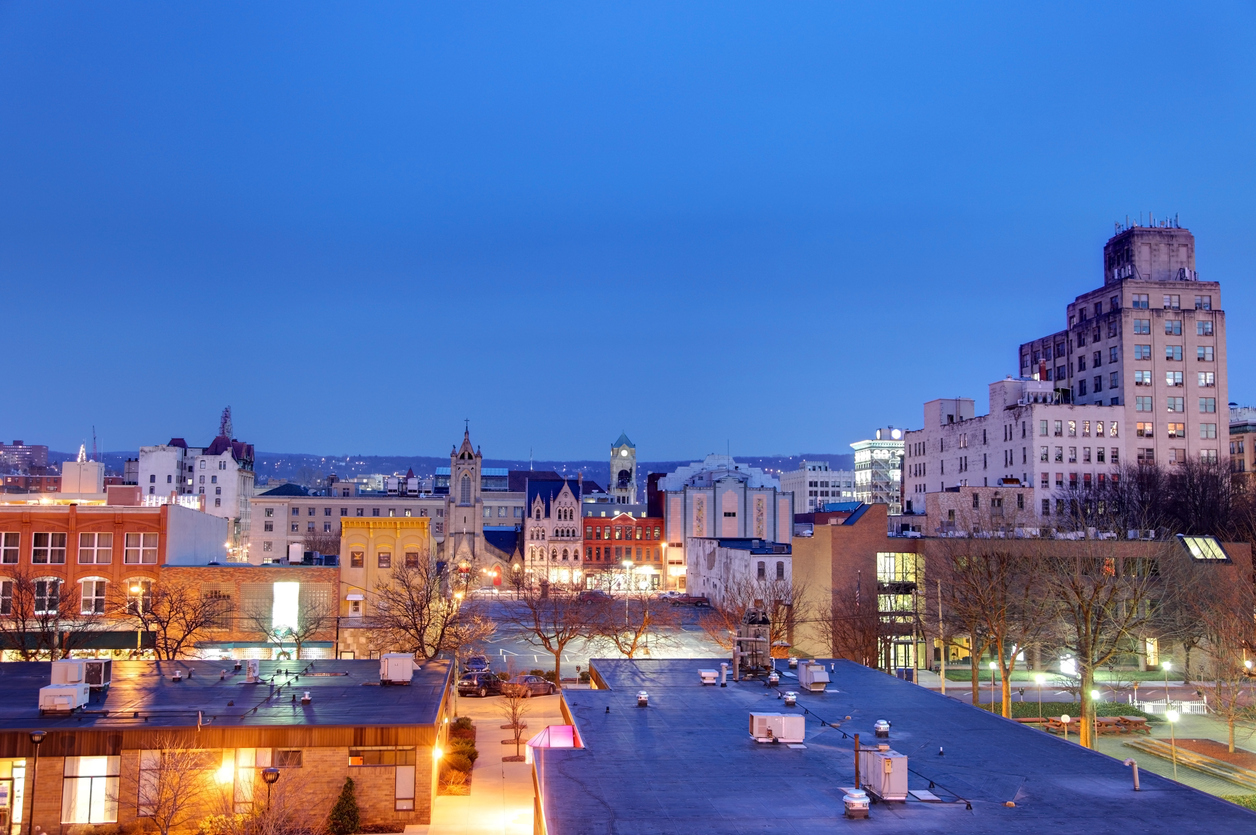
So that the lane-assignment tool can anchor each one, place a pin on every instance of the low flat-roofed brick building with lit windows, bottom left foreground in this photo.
(94, 764)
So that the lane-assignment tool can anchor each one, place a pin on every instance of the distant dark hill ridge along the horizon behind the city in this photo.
(306, 468)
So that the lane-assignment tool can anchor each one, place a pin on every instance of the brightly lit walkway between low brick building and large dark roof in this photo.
(502, 793)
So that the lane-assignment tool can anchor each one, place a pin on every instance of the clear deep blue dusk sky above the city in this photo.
(774, 227)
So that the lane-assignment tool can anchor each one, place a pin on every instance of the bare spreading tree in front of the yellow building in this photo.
(414, 613)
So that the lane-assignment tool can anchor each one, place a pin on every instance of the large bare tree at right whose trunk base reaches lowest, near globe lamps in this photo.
(1101, 602)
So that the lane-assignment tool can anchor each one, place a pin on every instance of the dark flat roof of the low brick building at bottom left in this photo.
(145, 695)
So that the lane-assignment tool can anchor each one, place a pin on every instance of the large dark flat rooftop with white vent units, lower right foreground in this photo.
(686, 764)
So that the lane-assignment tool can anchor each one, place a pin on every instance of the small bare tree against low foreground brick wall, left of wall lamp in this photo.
(174, 784)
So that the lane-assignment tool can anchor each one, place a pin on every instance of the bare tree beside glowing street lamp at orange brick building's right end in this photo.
(174, 612)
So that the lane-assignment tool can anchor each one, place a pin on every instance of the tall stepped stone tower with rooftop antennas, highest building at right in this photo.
(1150, 345)
